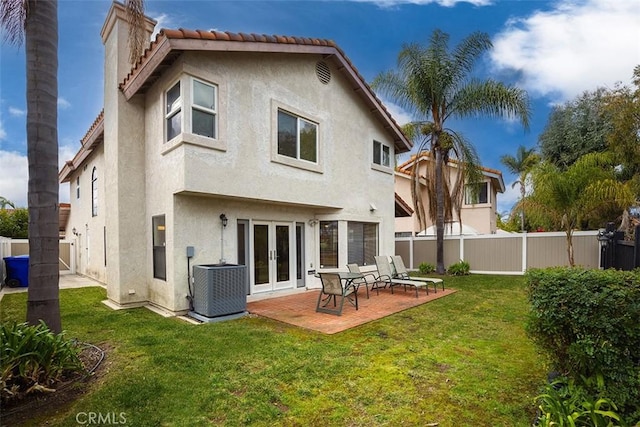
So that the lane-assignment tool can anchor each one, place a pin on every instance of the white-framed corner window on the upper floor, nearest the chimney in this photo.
(201, 102)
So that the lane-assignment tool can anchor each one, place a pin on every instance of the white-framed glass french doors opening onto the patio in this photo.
(273, 260)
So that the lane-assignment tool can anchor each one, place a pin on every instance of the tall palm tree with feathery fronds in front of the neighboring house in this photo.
(435, 84)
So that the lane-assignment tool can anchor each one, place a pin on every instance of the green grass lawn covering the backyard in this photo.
(462, 360)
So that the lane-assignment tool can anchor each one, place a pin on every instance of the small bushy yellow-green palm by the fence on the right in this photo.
(564, 199)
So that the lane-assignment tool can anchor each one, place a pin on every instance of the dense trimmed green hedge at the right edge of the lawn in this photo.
(588, 322)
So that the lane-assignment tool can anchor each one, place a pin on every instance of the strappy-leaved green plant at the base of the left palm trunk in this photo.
(32, 358)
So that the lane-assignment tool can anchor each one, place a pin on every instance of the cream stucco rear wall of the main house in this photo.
(192, 184)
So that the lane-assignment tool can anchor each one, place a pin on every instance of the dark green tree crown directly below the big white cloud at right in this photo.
(576, 128)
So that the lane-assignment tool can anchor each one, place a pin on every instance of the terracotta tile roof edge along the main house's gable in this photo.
(169, 45)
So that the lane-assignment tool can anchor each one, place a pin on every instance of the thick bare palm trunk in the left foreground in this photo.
(41, 39)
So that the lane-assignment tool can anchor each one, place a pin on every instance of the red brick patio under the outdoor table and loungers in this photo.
(300, 309)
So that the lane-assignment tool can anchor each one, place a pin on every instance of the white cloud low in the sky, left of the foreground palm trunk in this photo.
(14, 177)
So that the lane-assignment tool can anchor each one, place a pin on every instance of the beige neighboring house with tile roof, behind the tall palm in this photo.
(478, 215)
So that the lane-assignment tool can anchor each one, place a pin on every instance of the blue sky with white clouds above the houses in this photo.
(554, 49)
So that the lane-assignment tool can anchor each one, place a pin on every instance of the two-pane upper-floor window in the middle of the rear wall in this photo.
(297, 137)
